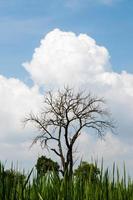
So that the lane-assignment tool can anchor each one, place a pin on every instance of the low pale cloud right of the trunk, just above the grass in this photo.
(112, 150)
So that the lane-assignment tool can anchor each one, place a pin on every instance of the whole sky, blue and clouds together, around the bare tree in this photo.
(46, 44)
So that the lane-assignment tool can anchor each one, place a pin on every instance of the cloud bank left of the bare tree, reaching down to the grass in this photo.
(17, 100)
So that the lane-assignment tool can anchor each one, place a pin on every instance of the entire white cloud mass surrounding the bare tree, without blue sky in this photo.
(64, 58)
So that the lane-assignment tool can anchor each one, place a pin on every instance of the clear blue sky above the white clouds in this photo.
(23, 23)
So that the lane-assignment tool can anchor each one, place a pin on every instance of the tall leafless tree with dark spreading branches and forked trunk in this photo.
(62, 119)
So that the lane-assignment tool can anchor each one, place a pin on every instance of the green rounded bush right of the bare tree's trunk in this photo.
(88, 172)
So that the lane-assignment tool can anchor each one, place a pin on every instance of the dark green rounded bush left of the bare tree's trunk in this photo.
(45, 165)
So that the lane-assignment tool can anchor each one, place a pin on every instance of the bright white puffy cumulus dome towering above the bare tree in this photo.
(64, 58)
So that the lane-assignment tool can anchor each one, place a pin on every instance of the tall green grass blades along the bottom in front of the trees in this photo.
(110, 186)
